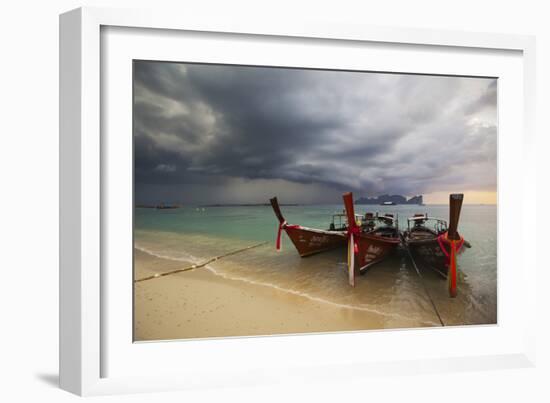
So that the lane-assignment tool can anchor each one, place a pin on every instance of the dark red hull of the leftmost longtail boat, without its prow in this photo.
(309, 241)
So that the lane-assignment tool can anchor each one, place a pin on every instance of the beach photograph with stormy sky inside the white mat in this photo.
(213, 143)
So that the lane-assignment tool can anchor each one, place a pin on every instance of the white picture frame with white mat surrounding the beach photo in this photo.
(87, 345)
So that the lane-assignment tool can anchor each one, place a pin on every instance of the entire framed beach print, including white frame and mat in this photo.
(319, 187)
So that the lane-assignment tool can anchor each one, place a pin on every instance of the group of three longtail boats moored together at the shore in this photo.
(432, 243)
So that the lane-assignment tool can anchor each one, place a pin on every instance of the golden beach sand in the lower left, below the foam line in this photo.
(198, 304)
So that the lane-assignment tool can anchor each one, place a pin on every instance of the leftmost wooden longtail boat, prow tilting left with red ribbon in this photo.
(309, 241)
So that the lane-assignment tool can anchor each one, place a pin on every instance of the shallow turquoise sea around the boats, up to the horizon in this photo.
(393, 288)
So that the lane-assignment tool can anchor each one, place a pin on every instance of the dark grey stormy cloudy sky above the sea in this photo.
(233, 134)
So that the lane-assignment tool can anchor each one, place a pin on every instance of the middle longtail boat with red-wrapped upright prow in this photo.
(369, 242)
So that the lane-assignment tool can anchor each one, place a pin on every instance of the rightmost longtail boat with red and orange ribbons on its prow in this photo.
(434, 246)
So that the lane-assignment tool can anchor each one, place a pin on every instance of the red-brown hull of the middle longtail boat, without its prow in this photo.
(372, 249)
